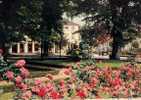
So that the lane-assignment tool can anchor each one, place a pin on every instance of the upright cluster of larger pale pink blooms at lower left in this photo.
(18, 78)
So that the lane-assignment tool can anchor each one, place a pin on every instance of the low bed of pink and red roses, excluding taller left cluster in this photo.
(121, 82)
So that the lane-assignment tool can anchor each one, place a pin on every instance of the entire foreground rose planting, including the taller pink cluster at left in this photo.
(83, 81)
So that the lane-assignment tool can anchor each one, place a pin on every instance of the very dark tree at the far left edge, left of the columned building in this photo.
(8, 23)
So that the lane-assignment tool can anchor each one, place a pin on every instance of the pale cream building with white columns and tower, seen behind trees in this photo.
(30, 47)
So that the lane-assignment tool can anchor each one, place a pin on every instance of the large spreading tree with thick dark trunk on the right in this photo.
(116, 15)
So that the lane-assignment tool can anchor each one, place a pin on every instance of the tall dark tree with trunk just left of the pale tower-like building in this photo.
(51, 21)
